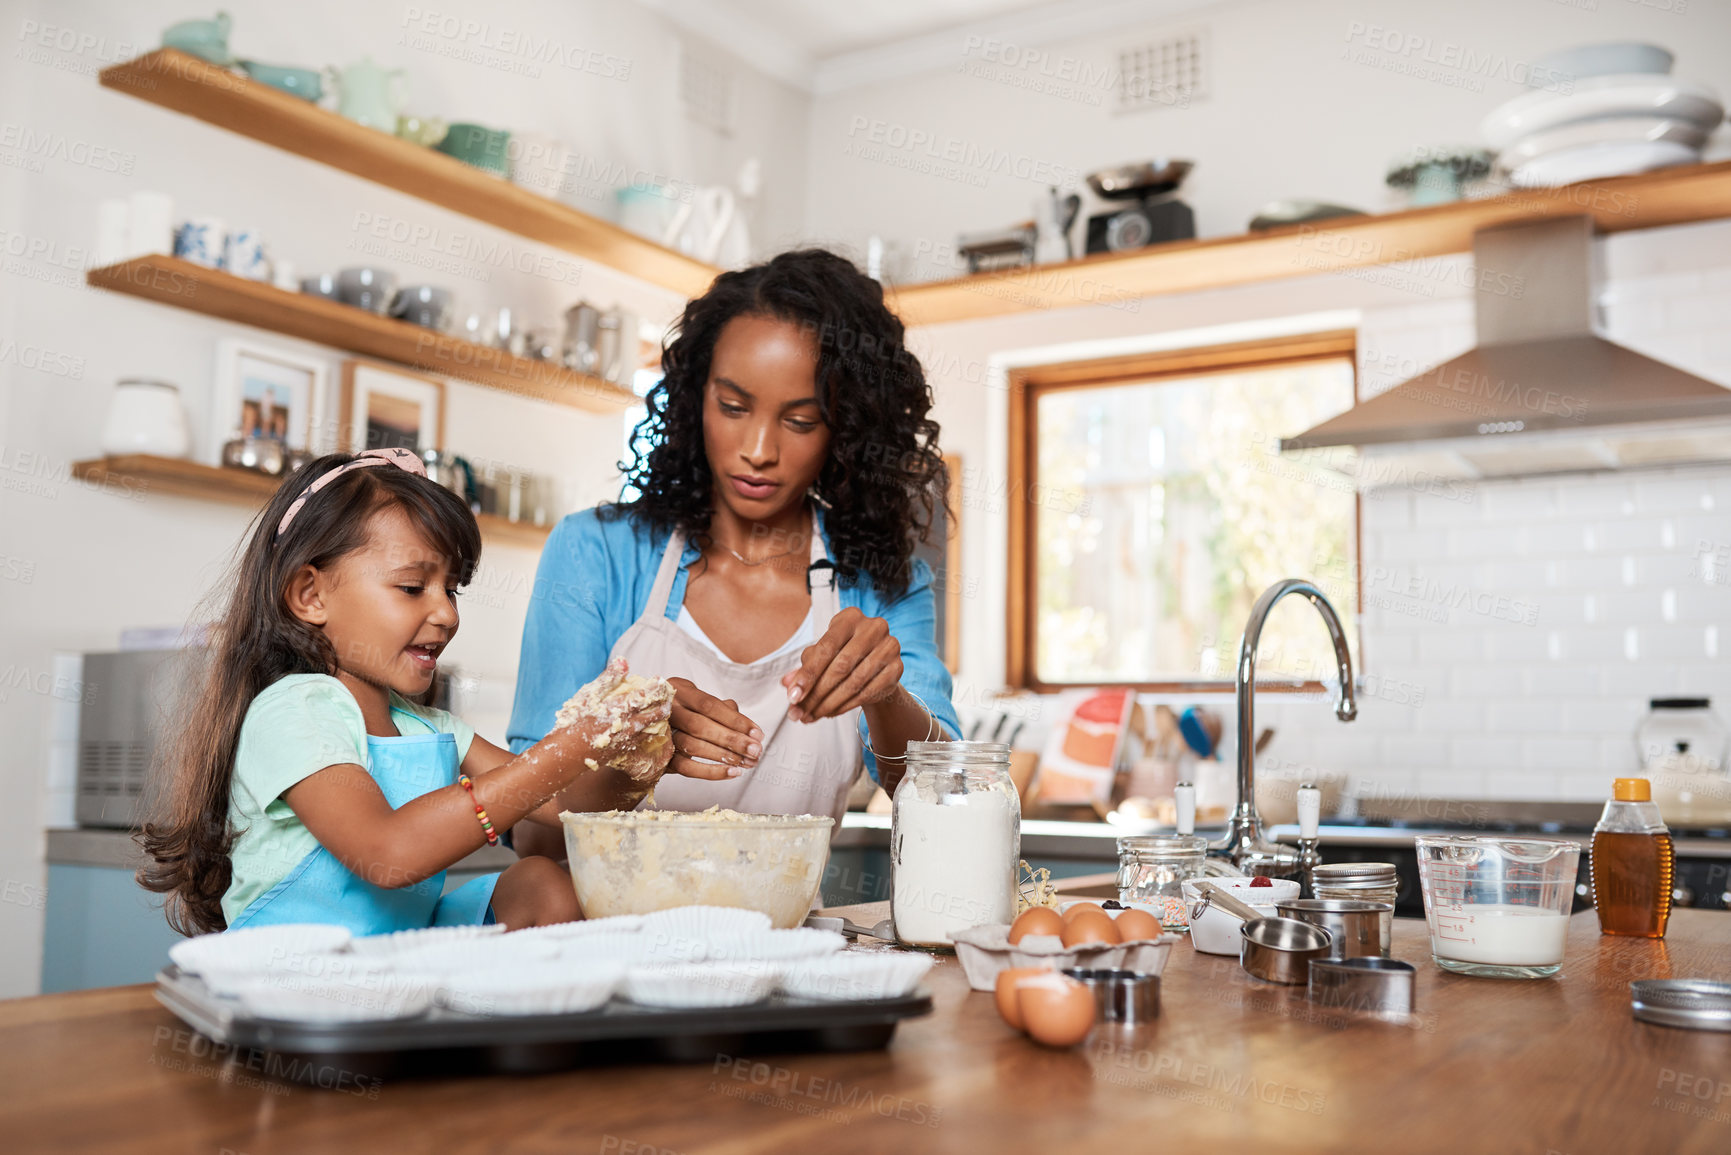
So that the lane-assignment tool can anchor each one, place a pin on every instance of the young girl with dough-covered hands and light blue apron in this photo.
(307, 789)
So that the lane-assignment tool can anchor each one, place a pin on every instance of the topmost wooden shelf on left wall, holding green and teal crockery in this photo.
(217, 96)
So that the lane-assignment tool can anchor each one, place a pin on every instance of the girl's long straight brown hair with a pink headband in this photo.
(257, 642)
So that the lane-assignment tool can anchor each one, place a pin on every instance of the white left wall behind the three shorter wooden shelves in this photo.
(100, 564)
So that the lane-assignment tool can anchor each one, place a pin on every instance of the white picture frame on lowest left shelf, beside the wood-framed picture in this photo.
(269, 392)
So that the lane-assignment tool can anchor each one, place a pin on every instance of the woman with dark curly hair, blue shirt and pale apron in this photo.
(768, 565)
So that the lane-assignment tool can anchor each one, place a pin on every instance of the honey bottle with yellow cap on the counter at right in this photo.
(1633, 863)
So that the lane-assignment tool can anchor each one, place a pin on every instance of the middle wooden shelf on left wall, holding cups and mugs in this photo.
(183, 285)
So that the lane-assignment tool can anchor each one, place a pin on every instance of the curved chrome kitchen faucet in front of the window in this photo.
(1244, 842)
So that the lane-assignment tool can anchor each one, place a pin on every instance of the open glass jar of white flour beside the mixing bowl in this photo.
(955, 842)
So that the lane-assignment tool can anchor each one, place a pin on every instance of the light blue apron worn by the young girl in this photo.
(323, 891)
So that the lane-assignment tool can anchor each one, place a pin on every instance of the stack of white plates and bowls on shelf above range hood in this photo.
(1602, 112)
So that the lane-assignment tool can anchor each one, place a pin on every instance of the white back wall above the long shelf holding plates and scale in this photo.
(1304, 101)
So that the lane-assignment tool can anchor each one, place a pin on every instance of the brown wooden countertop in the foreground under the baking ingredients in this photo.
(1232, 1066)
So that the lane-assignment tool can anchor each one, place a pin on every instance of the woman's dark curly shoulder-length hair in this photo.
(884, 475)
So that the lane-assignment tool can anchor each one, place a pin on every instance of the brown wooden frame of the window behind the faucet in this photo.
(1026, 390)
